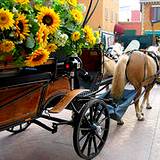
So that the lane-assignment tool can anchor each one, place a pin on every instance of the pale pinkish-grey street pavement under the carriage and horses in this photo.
(135, 140)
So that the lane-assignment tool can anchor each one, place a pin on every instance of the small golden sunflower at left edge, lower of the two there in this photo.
(6, 46)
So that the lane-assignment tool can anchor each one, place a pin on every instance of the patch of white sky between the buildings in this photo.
(125, 8)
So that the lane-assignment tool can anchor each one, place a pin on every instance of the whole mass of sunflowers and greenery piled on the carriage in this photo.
(31, 31)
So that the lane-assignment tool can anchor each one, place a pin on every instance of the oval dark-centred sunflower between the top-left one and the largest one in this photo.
(22, 27)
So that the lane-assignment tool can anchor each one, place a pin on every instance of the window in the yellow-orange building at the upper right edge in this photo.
(155, 13)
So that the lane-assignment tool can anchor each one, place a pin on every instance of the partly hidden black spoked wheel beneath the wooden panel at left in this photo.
(19, 128)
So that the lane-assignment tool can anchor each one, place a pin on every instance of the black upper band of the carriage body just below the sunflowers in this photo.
(12, 79)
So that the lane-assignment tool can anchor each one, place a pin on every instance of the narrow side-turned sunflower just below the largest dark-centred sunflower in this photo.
(42, 35)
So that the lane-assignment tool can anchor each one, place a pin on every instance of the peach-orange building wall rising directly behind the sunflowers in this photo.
(105, 16)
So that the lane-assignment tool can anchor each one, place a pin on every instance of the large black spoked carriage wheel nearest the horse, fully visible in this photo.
(91, 130)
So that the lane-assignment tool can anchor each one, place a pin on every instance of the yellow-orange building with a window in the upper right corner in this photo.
(150, 17)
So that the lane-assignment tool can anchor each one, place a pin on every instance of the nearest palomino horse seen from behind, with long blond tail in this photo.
(138, 69)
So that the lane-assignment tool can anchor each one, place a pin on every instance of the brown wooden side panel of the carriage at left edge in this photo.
(19, 103)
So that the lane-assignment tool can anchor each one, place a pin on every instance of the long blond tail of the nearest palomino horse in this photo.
(119, 78)
